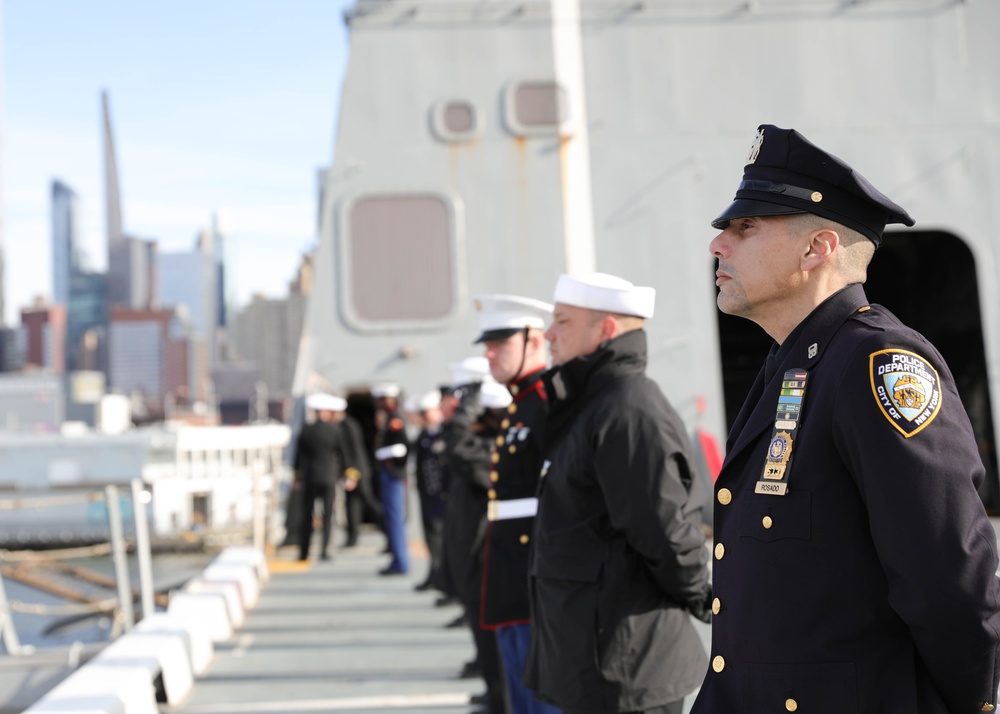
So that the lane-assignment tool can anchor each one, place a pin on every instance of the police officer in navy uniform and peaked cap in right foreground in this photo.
(854, 562)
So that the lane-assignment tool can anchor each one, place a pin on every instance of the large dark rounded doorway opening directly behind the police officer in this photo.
(928, 280)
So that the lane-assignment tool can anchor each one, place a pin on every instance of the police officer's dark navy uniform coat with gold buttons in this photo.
(870, 587)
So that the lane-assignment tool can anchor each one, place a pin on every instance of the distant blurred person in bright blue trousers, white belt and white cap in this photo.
(391, 450)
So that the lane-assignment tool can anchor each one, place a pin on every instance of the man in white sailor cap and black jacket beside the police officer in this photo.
(618, 558)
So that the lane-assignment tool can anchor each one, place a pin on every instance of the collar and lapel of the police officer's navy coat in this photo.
(803, 349)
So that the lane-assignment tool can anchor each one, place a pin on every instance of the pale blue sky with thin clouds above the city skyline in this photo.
(218, 106)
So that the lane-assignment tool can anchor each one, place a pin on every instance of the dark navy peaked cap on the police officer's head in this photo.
(785, 174)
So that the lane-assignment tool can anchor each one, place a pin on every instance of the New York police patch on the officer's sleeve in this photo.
(906, 388)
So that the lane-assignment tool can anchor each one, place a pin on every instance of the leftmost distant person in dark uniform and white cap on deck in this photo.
(318, 465)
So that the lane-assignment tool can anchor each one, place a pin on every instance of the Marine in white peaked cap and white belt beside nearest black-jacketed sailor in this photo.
(512, 333)
